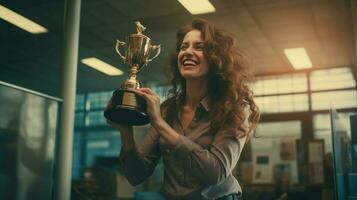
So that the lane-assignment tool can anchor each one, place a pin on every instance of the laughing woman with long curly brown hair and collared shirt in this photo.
(202, 127)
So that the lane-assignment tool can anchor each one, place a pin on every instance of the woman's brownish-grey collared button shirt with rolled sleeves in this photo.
(198, 167)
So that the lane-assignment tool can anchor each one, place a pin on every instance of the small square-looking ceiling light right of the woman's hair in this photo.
(298, 58)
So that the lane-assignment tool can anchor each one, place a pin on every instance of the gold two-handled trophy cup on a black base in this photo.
(127, 107)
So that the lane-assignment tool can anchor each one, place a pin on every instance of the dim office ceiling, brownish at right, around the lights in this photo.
(325, 28)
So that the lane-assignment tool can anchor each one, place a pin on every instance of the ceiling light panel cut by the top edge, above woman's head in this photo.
(196, 7)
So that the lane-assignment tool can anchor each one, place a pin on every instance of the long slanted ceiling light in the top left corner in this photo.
(20, 21)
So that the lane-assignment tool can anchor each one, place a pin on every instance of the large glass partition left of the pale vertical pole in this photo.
(28, 123)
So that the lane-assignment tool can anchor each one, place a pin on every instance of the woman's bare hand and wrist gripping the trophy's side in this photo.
(153, 104)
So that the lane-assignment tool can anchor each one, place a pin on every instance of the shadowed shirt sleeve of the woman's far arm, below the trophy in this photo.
(140, 163)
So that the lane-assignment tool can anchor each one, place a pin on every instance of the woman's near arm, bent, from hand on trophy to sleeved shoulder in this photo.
(211, 166)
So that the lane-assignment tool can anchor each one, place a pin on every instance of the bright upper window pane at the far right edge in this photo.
(327, 79)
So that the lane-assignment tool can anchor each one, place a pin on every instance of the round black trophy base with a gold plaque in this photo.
(127, 108)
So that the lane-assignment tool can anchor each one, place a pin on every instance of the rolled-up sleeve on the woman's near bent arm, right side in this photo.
(210, 165)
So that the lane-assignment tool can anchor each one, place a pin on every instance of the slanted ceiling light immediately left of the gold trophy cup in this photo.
(102, 66)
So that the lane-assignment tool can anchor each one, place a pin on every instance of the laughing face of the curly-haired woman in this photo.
(192, 62)
